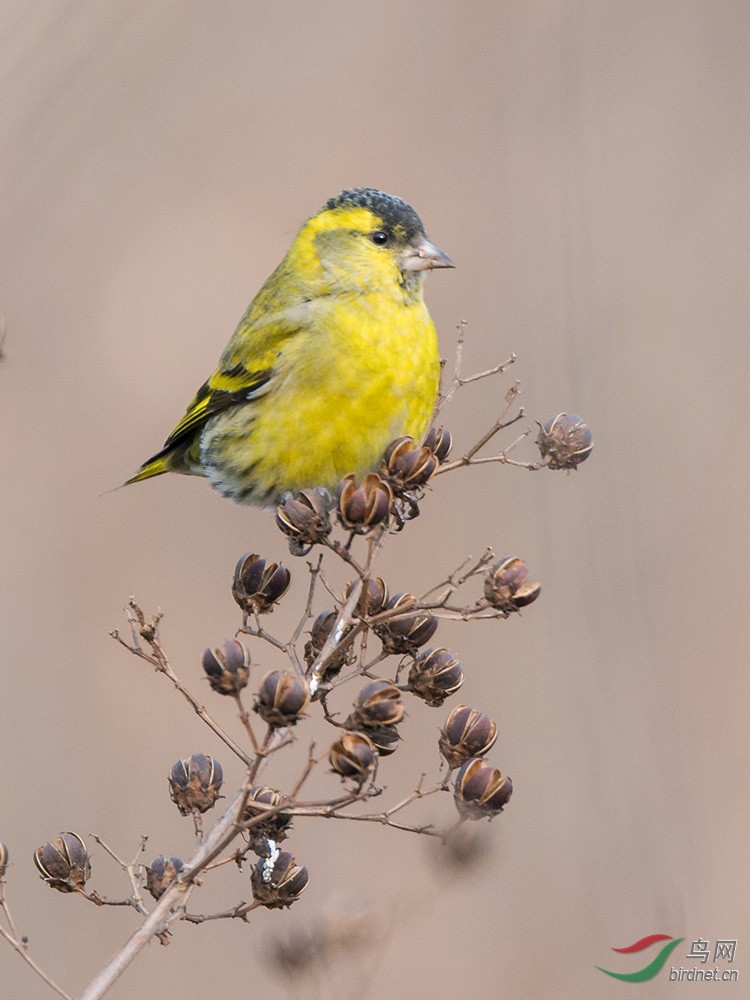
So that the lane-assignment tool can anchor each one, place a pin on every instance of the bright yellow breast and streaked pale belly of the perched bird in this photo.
(362, 372)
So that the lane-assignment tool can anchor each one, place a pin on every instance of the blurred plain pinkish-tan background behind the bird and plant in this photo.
(586, 164)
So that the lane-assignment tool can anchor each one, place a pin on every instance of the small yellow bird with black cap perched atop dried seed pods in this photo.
(335, 357)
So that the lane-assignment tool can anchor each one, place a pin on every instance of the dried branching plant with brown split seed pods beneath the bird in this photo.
(369, 651)
